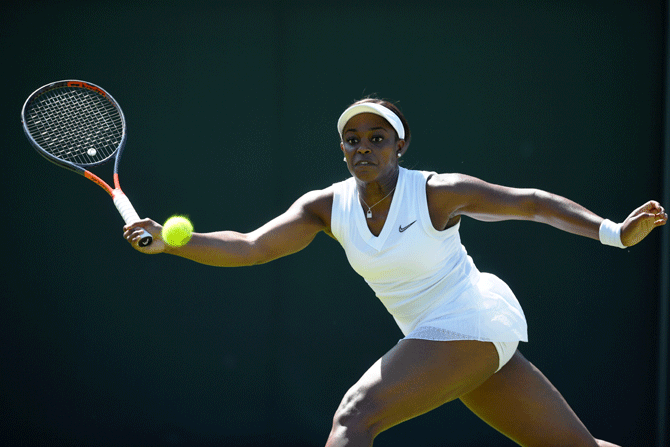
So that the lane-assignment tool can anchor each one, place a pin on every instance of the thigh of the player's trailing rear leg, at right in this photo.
(520, 402)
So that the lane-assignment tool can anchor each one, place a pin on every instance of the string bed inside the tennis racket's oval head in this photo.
(75, 125)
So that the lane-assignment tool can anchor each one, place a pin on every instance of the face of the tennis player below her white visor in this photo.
(371, 146)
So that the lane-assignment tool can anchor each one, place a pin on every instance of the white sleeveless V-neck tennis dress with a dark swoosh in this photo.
(423, 276)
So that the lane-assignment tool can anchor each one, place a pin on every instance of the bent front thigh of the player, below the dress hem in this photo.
(414, 377)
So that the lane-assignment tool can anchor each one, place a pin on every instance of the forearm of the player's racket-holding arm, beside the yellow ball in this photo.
(219, 249)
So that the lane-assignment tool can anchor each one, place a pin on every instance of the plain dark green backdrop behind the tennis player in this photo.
(231, 110)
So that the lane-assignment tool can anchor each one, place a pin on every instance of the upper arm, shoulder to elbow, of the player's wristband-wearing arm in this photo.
(464, 195)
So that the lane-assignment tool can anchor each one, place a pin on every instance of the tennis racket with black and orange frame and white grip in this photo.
(77, 125)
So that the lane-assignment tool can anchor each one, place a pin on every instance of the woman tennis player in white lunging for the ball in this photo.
(399, 229)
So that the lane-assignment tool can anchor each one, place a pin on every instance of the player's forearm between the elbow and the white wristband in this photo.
(565, 215)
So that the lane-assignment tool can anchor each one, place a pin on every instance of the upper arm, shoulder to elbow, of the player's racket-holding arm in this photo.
(294, 229)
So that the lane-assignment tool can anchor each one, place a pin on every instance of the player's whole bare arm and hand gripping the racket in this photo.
(286, 234)
